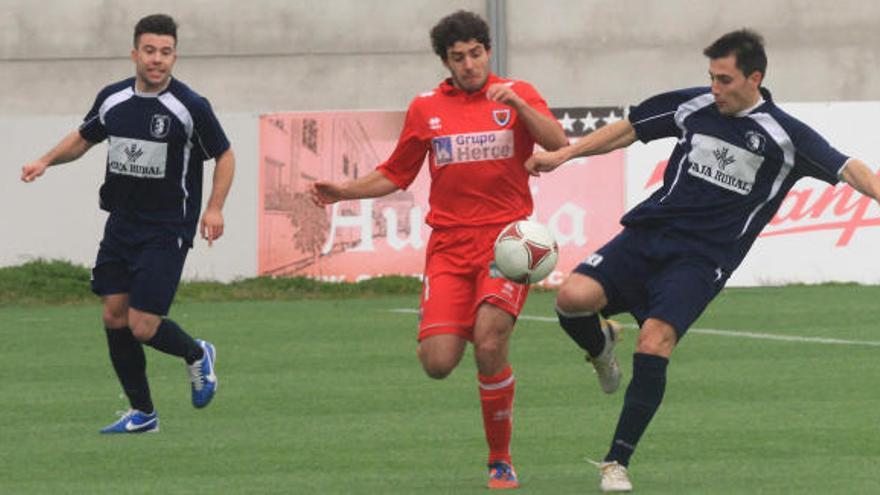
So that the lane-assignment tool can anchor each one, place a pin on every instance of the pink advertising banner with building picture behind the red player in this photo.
(349, 241)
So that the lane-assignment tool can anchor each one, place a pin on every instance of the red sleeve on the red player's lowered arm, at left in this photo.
(404, 164)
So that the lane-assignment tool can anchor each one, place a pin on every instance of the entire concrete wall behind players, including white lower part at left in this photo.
(275, 55)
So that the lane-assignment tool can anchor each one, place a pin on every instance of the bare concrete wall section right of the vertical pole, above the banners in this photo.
(613, 52)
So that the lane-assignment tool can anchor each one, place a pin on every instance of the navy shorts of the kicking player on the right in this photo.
(651, 274)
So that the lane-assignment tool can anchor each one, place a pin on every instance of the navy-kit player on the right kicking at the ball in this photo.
(737, 155)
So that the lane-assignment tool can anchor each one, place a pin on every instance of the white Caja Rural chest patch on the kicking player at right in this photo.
(723, 164)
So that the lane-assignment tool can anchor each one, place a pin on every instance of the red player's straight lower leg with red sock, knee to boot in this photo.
(497, 389)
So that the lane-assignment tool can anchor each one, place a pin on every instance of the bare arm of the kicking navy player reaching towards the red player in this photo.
(608, 138)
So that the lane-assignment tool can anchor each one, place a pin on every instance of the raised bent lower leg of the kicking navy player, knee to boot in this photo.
(578, 303)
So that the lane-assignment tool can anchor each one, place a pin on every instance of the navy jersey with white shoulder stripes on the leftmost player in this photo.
(157, 145)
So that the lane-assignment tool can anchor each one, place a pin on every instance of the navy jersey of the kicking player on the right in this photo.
(727, 175)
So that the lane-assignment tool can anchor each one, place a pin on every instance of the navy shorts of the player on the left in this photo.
(142, 260)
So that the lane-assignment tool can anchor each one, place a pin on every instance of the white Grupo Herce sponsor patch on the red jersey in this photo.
(473, 147)
